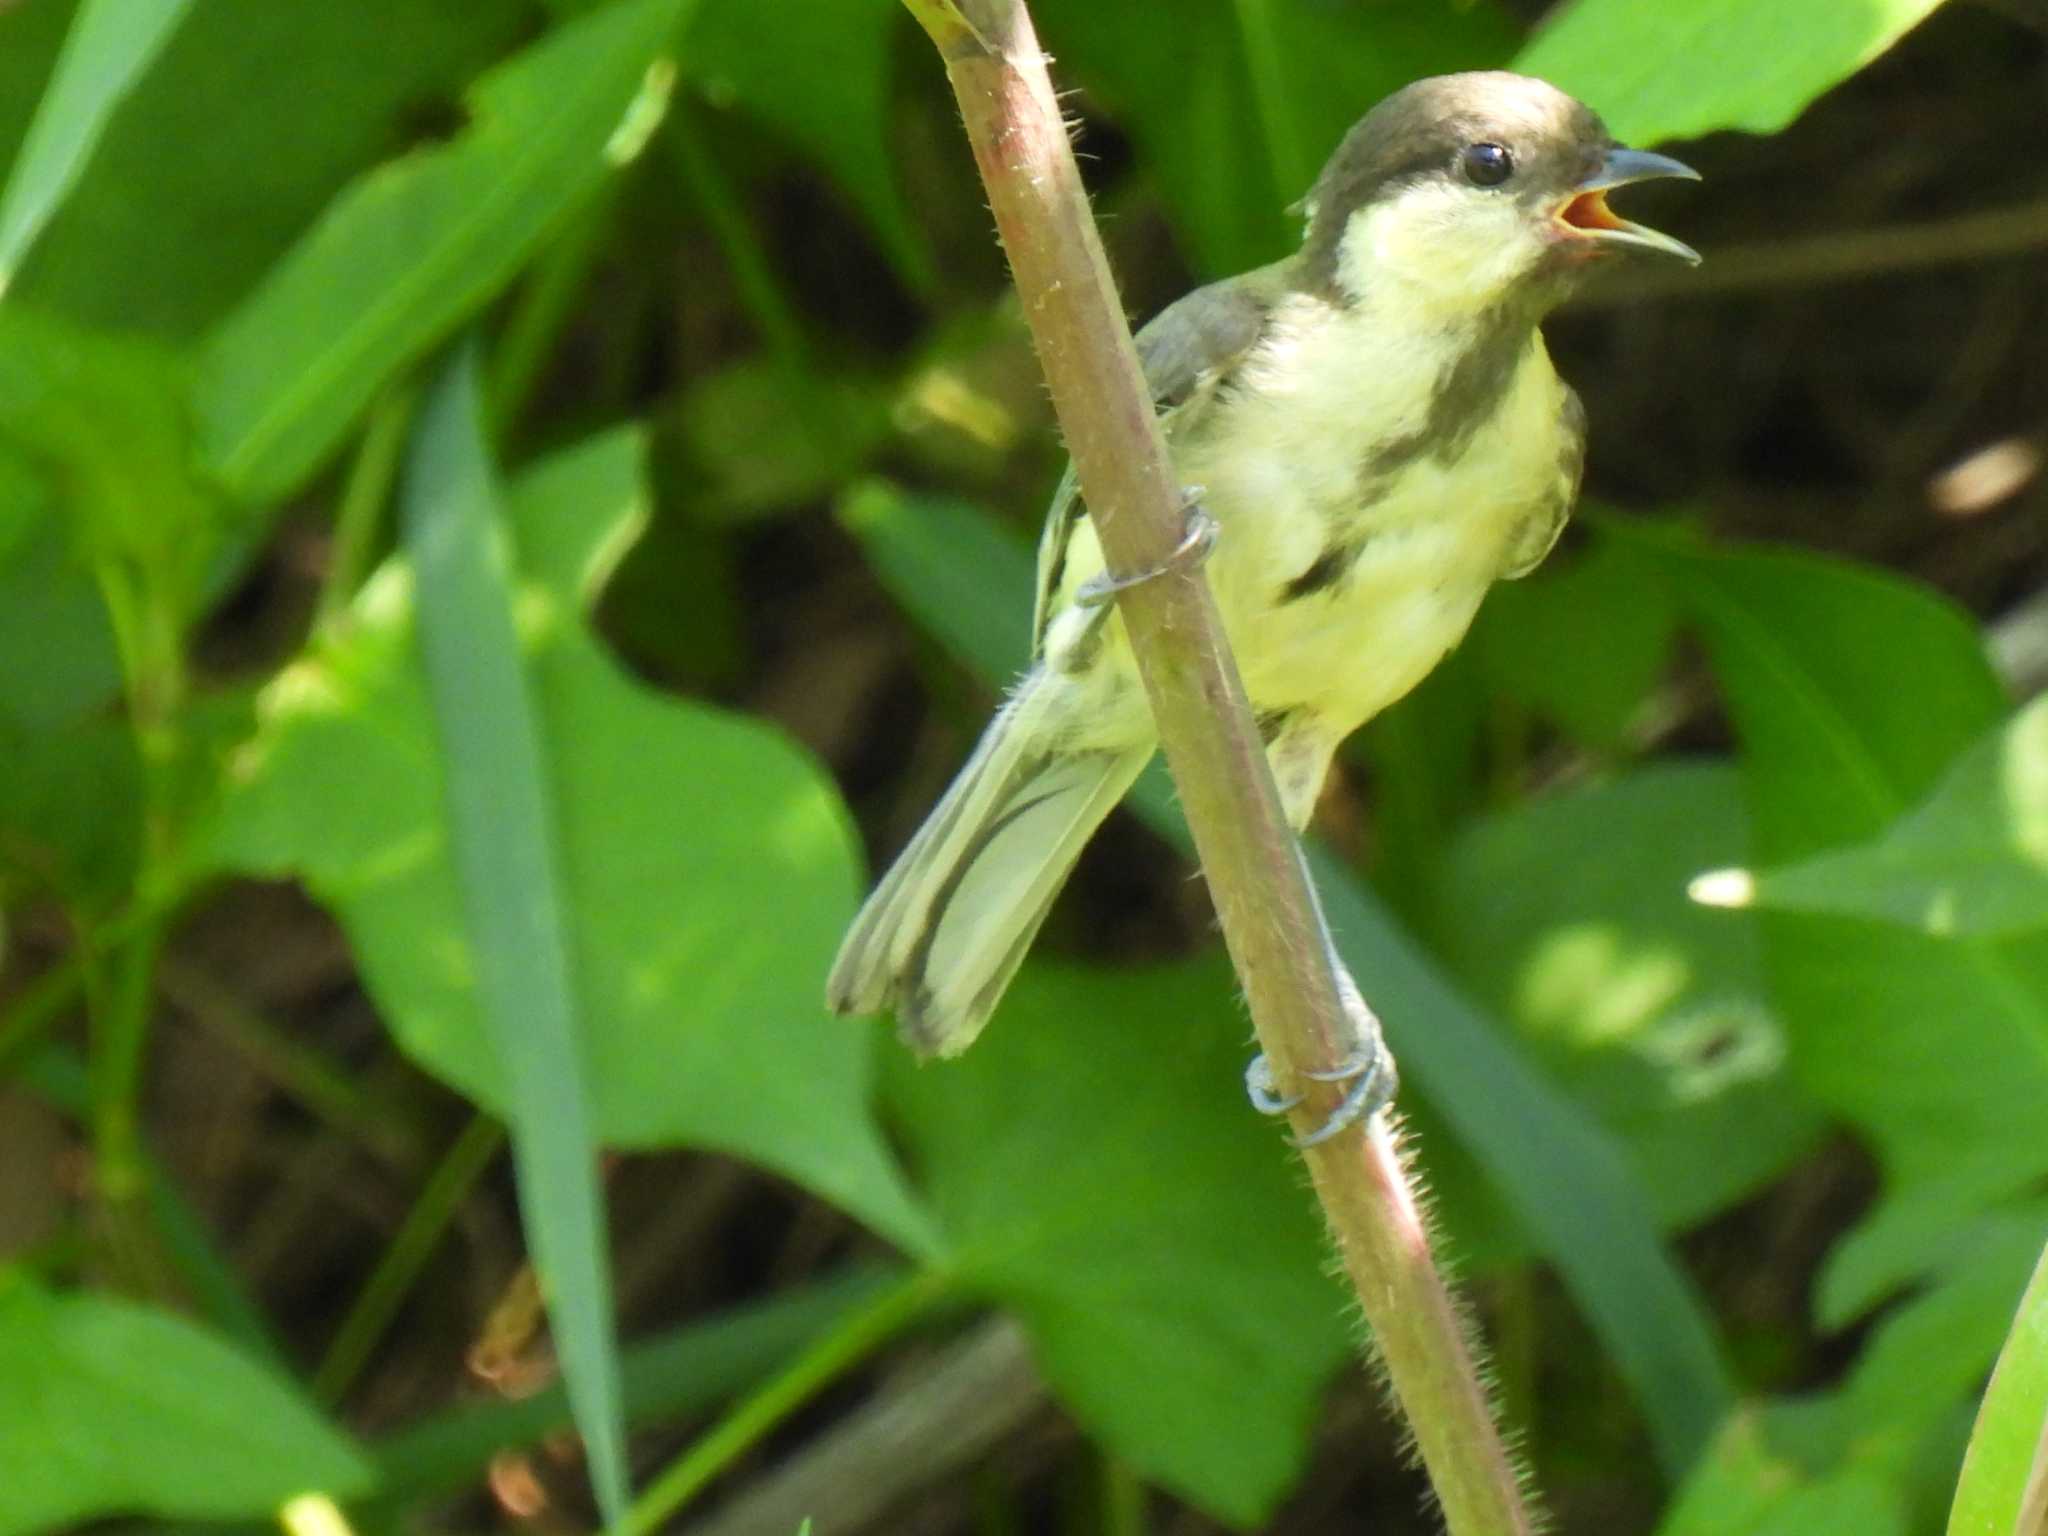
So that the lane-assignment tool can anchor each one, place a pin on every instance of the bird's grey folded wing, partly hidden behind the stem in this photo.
(1185, 351)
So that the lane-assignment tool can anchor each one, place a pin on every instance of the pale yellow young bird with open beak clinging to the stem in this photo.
(1371, 433)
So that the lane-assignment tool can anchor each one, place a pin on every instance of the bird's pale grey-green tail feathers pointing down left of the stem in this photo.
(951, 921)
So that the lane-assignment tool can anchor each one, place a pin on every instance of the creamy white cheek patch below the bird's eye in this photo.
(1451, 247)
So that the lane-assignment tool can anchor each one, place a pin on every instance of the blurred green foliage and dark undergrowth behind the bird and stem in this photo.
(509, 511)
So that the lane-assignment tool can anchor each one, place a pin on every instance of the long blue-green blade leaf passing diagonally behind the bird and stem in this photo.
(1558, 1170)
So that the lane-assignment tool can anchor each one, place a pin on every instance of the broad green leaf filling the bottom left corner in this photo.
(114, 1408)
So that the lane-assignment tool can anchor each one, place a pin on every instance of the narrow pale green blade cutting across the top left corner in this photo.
(105, 54)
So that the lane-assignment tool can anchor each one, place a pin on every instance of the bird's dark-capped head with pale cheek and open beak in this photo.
(1476, 191)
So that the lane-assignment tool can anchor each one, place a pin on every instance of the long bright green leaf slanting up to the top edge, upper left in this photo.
(413, 249)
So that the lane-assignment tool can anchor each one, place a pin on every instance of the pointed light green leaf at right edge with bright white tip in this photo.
(1971, 859)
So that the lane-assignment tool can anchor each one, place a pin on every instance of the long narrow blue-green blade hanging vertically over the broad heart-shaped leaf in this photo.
(503, 849)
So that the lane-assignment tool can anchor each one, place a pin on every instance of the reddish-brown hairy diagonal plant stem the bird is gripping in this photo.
(1211, 744)
